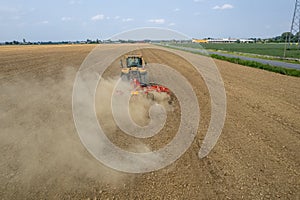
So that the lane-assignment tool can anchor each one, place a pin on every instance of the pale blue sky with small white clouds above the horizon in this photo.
(71, 20)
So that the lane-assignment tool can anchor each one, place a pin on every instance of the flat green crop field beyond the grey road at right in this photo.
(269, 49)
